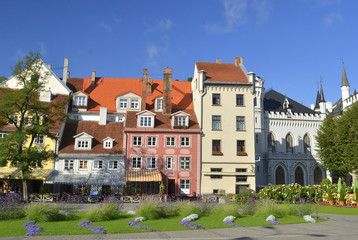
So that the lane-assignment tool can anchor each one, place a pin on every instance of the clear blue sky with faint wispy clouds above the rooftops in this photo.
(289, 43)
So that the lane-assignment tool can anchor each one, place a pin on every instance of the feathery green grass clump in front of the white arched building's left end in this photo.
(266, 207)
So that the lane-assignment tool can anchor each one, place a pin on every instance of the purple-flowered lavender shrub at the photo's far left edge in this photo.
(11, 206)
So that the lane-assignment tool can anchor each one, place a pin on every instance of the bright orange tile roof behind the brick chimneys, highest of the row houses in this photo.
(105, 90)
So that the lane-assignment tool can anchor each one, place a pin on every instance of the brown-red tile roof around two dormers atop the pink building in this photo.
(161, 121)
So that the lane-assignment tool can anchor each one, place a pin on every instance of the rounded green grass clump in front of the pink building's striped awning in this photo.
(151, 209)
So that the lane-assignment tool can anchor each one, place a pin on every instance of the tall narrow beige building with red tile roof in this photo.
(223, 95)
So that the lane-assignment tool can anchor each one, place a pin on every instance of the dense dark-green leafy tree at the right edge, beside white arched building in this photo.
(337, 141)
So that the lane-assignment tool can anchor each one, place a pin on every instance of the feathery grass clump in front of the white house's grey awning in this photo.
(109, 209)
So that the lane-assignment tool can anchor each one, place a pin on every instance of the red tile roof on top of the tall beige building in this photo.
(222, 72)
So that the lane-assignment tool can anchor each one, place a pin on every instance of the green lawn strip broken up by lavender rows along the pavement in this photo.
(15, 227)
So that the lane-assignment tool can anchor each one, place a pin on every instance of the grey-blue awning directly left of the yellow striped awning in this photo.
(109, 179)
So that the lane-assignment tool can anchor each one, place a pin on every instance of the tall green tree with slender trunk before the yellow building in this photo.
(29, 118)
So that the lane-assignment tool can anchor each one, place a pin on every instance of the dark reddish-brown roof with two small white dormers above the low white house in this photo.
(99, 132)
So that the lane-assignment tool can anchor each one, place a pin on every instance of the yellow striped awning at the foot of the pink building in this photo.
(139, 175)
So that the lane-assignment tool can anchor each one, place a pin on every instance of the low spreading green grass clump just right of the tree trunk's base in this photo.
(47, 213)
